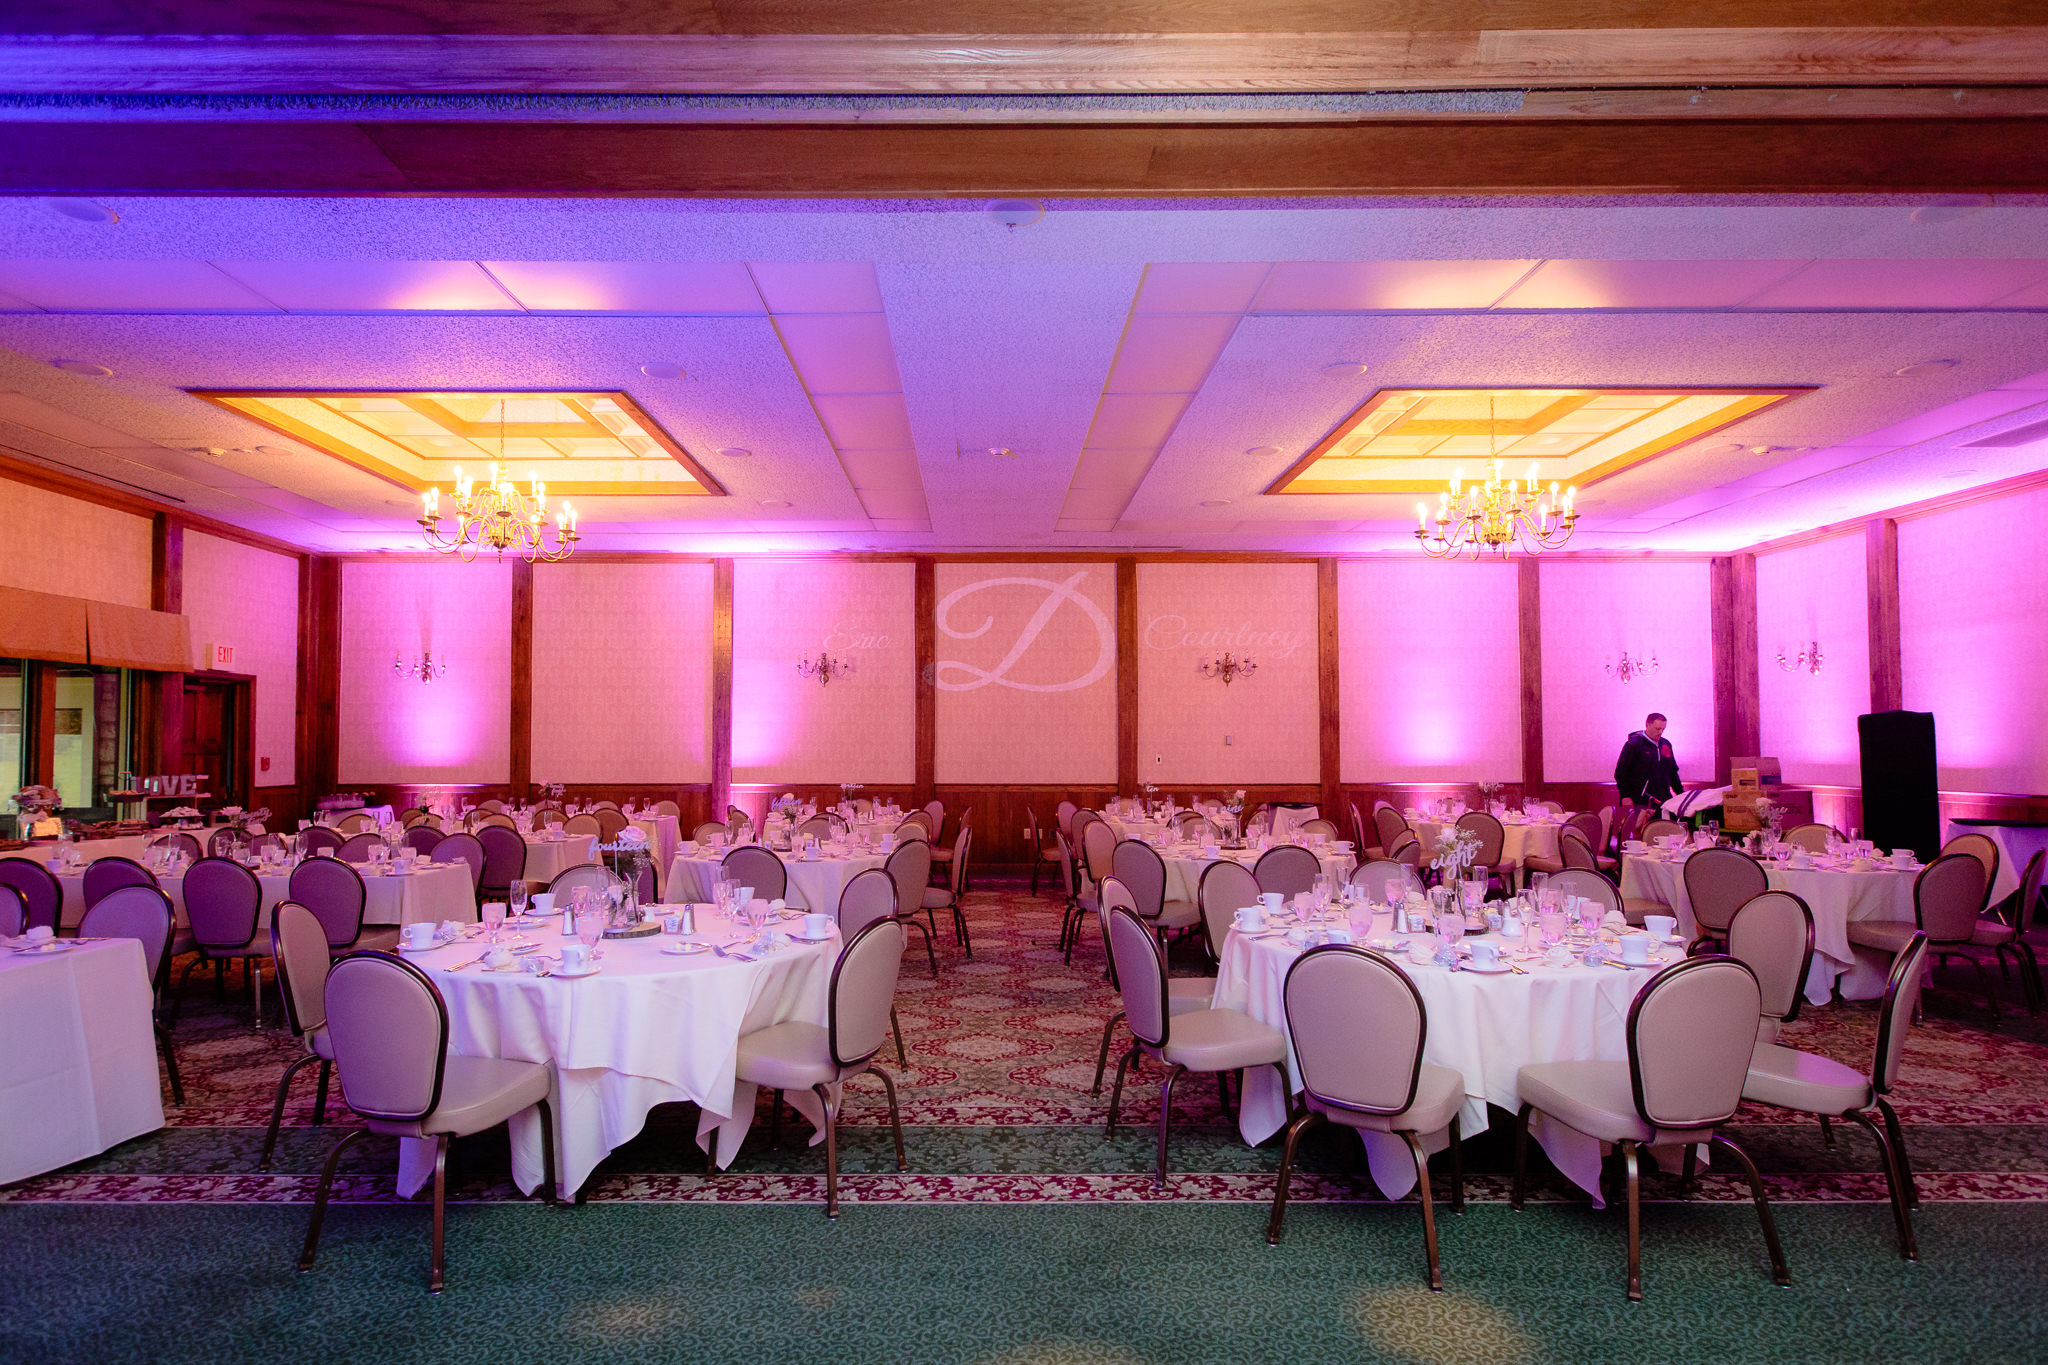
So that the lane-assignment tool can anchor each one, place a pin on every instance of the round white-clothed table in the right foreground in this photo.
(1486, 1028)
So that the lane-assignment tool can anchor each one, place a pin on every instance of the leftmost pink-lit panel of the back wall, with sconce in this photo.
(458, 728)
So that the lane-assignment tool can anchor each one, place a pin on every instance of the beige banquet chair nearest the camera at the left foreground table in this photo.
(388, 1026)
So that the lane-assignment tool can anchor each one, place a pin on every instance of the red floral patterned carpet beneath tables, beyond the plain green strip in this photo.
(996, 1104)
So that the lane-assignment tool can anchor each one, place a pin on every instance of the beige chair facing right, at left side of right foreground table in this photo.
(1201, 1041)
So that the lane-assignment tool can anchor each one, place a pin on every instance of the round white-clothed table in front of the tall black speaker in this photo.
(1836, 899)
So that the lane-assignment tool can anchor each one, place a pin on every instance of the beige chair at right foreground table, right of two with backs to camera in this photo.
(1691, 1037)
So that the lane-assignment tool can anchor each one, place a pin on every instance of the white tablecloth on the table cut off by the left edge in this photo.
(79, 1067)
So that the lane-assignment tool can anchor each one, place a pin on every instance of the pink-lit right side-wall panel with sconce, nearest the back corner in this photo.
(1814, 595)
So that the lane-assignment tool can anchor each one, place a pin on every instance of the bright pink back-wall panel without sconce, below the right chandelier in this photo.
(1431, 666)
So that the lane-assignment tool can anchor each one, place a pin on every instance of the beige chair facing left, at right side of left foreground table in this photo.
(796, 1055)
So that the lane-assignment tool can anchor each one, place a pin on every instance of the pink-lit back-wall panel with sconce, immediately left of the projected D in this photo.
(790, 728)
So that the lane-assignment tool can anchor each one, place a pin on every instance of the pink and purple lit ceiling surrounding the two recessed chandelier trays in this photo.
(925, 376)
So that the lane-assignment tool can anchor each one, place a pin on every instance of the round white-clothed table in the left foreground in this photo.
(646, 1030)
